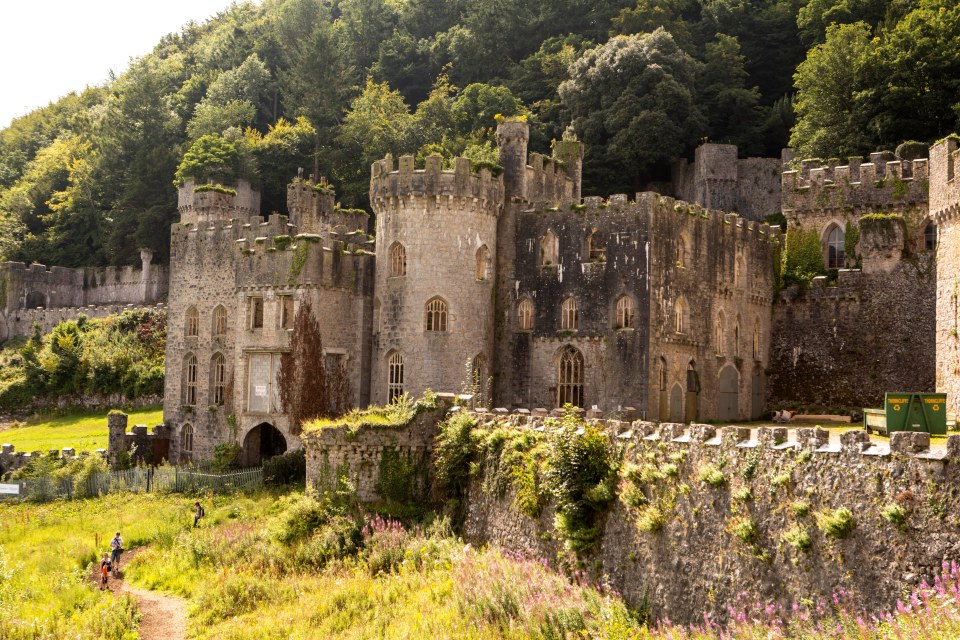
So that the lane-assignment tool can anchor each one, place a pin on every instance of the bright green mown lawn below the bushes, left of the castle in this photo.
(84, 431)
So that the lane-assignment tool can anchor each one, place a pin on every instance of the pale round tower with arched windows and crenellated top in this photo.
(436, 254)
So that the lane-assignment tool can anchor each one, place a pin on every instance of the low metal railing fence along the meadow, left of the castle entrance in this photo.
(137, 480)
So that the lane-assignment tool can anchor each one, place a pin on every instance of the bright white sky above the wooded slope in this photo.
(49, 48)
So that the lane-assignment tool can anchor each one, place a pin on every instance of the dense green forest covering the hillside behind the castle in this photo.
(263, 90)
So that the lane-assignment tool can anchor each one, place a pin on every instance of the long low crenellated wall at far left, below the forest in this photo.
(35, 294)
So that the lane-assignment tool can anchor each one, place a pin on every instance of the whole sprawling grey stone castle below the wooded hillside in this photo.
(516, 287)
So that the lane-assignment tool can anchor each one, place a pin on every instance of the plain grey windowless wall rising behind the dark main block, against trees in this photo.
(718, 179)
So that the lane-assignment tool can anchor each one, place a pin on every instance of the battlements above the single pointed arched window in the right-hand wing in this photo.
(855, 187)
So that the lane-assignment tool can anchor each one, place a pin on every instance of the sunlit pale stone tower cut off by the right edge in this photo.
(945, 212)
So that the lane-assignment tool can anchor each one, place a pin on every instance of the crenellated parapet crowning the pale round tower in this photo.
(483, 189)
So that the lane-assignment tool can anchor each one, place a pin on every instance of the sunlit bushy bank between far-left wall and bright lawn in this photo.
(115, 358)
